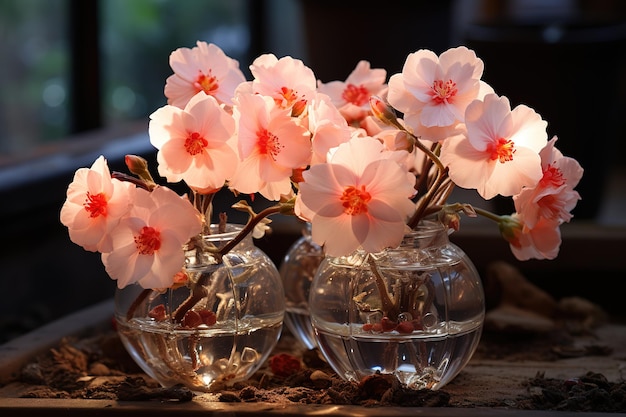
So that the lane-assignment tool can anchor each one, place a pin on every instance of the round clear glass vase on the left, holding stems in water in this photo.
(216, 329)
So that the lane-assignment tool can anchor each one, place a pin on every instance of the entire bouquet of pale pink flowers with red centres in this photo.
(363, 160)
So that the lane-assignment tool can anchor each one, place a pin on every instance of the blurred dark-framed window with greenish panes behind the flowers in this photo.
(132, 41)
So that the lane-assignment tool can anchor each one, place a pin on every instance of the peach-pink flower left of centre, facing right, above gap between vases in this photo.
(271, 145)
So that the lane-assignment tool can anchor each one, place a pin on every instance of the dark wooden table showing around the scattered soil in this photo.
(502, 378)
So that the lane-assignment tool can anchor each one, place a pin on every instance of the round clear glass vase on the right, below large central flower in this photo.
(414, 312)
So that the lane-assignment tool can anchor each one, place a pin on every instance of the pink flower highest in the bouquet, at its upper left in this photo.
(206, 68)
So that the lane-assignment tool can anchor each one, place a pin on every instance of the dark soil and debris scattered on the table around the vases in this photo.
(523, 324)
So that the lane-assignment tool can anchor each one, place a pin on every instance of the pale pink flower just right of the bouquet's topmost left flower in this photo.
(287, 80)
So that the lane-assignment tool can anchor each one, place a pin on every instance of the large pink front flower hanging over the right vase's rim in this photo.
(361, 195)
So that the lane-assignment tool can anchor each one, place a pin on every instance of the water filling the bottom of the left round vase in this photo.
(200, 357)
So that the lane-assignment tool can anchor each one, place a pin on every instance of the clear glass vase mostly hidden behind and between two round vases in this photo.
(297, 271)
